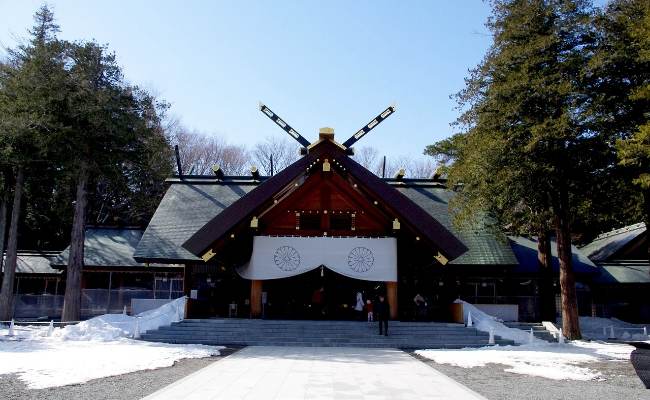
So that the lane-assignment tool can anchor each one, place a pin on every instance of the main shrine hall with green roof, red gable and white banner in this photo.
(302, 243)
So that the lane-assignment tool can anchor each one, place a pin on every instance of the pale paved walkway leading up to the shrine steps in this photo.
(316, 373)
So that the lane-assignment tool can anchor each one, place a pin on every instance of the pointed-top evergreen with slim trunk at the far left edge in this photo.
(32, 93)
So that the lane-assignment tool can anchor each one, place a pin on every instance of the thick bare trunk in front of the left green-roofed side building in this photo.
(72, 298)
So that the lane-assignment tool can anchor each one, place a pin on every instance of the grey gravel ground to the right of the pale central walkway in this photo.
(492, 382)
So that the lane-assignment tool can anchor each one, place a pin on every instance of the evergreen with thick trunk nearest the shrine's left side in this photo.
(114, 137)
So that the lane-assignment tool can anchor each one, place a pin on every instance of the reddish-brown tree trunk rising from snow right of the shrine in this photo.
(570, 321)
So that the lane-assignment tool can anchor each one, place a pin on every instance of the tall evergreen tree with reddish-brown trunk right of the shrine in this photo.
(525, 153)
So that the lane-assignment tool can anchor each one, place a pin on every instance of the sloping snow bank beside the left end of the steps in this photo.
(113, 326)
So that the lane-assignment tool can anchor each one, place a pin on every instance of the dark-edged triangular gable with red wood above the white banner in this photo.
(326, 179)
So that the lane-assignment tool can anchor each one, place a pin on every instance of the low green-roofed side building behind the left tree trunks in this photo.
(111, 280)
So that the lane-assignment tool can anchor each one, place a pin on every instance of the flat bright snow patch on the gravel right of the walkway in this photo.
(553, 361)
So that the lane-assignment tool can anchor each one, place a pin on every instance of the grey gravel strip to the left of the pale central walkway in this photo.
(130, 386)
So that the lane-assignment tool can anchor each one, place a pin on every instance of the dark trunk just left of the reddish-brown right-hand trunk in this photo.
(546, 291)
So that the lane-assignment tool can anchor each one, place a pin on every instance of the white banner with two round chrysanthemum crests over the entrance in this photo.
(370, 259)
